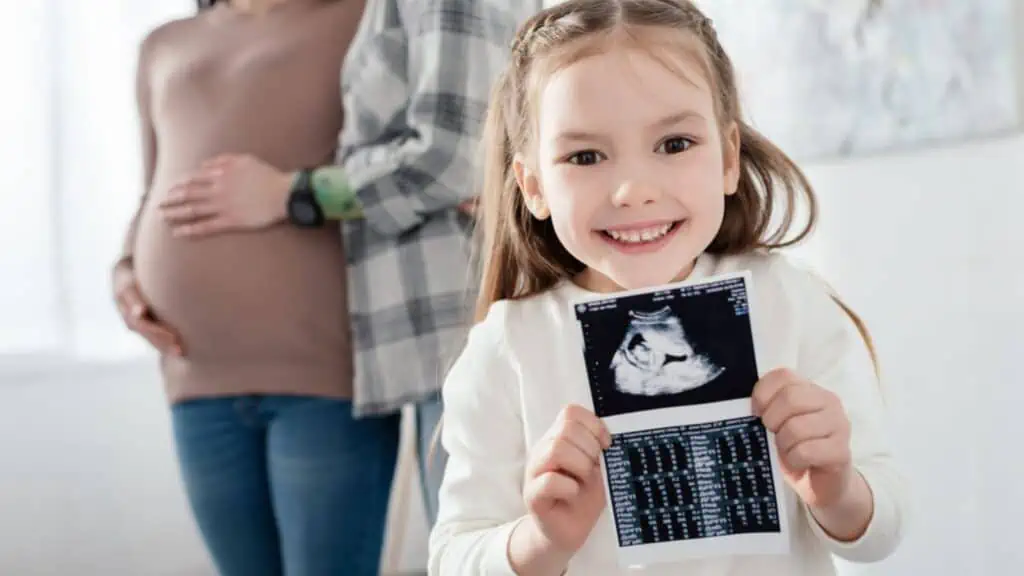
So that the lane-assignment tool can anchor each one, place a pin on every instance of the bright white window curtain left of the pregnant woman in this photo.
(71, 164)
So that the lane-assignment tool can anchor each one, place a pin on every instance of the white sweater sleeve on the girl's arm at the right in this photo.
(834, 355)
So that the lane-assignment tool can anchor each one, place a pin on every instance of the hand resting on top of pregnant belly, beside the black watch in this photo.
(229, 193)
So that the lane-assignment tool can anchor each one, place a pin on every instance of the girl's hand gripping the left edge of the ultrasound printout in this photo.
(565, 491)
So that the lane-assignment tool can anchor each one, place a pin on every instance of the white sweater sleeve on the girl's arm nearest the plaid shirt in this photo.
(481, 499)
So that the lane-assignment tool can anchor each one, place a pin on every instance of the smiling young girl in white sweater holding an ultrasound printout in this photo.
(618, 158)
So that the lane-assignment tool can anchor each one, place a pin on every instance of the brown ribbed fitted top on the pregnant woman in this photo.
(260, 312)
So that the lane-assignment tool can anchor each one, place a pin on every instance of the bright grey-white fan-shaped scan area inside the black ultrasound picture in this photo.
(656, 357)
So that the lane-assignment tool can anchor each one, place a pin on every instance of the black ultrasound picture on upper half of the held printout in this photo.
(684, 347)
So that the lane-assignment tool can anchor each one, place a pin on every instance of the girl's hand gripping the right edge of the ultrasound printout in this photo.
(813, 434)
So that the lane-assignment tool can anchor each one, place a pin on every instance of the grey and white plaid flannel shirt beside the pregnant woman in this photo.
(415, 86)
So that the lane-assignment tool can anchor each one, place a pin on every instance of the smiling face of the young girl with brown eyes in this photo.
(631, 167)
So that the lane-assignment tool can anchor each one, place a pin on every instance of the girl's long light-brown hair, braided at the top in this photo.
(521, 256)
